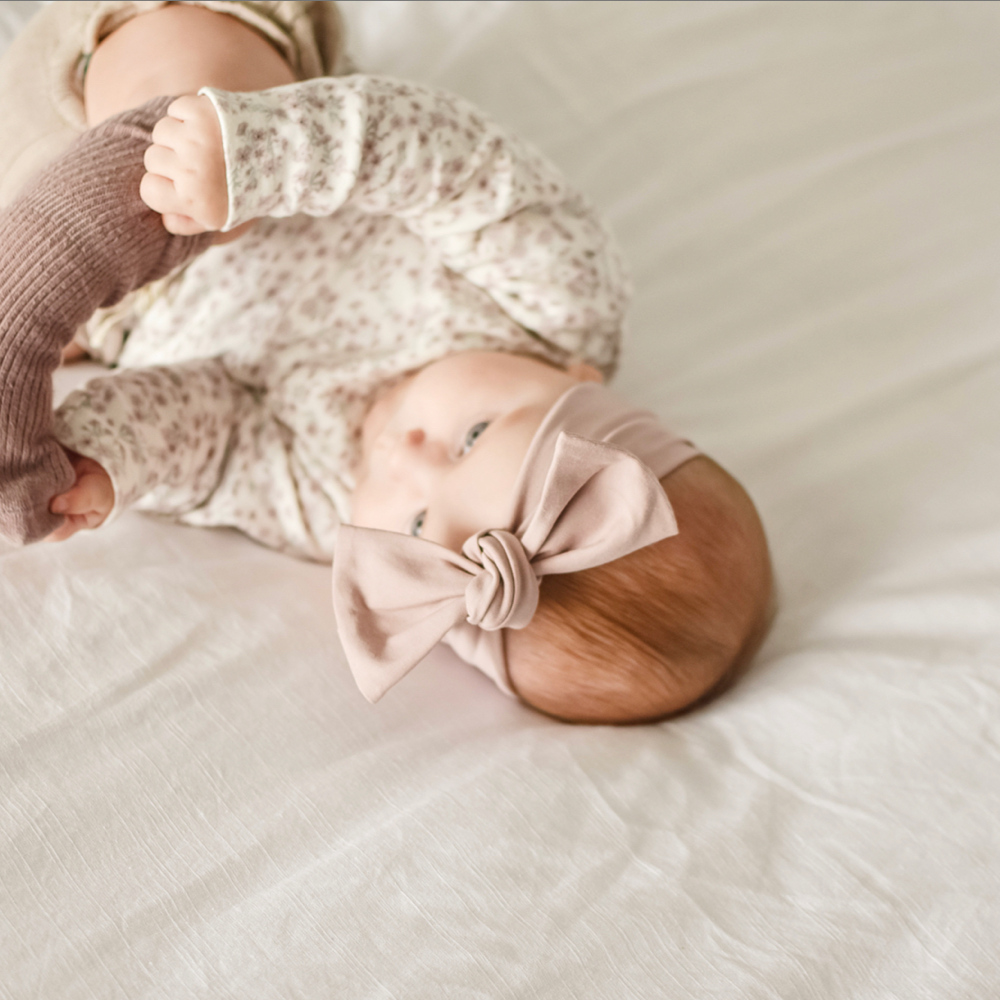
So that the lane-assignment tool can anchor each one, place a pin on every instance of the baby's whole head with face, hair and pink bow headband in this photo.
(632, 620)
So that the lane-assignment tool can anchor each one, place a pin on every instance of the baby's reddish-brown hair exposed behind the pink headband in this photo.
(658, 631)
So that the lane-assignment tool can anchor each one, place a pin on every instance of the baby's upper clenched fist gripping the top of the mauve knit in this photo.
(186, 179)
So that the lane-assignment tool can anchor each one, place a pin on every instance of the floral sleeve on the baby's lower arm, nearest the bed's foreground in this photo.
(191, 442)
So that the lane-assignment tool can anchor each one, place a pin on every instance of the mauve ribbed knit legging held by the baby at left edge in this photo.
(76, 239)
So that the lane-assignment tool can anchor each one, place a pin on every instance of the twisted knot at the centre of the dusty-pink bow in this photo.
(504, 593)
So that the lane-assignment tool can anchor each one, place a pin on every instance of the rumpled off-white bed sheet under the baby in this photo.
(196, 802)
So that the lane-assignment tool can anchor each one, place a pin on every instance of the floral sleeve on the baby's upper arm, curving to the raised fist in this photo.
(490, 206)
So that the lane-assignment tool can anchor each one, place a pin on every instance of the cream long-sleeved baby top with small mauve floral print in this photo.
(397, 224)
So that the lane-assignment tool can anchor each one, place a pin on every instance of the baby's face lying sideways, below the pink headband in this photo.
(441, 450)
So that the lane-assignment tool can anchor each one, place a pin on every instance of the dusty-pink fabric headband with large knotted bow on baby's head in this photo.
(578, 503)
